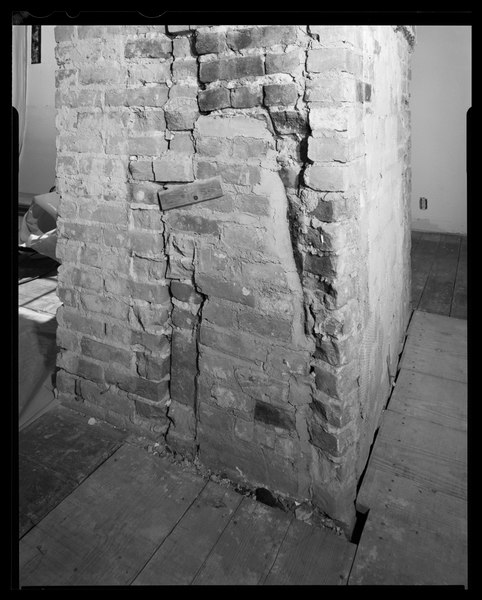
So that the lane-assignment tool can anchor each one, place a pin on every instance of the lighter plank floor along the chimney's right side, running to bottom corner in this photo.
(415, 487)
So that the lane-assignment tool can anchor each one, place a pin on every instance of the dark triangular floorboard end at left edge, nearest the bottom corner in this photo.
(40, 490)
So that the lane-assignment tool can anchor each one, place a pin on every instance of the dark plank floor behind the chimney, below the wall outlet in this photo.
(439, 273)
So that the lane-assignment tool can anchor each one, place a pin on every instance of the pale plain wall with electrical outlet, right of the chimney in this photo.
(440, 98)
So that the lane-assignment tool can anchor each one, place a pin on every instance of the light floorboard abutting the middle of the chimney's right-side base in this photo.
(430, 398)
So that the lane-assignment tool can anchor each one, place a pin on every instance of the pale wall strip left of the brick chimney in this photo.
(37, 163)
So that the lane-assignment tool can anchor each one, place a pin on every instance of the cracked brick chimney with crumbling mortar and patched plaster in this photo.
(237, 329)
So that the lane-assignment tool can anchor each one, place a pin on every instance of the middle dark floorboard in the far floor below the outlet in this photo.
(438, 291)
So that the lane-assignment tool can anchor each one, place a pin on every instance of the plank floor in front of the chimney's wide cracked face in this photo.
(139, 519)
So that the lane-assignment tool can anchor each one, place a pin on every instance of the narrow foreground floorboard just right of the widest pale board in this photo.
(184, 551)
